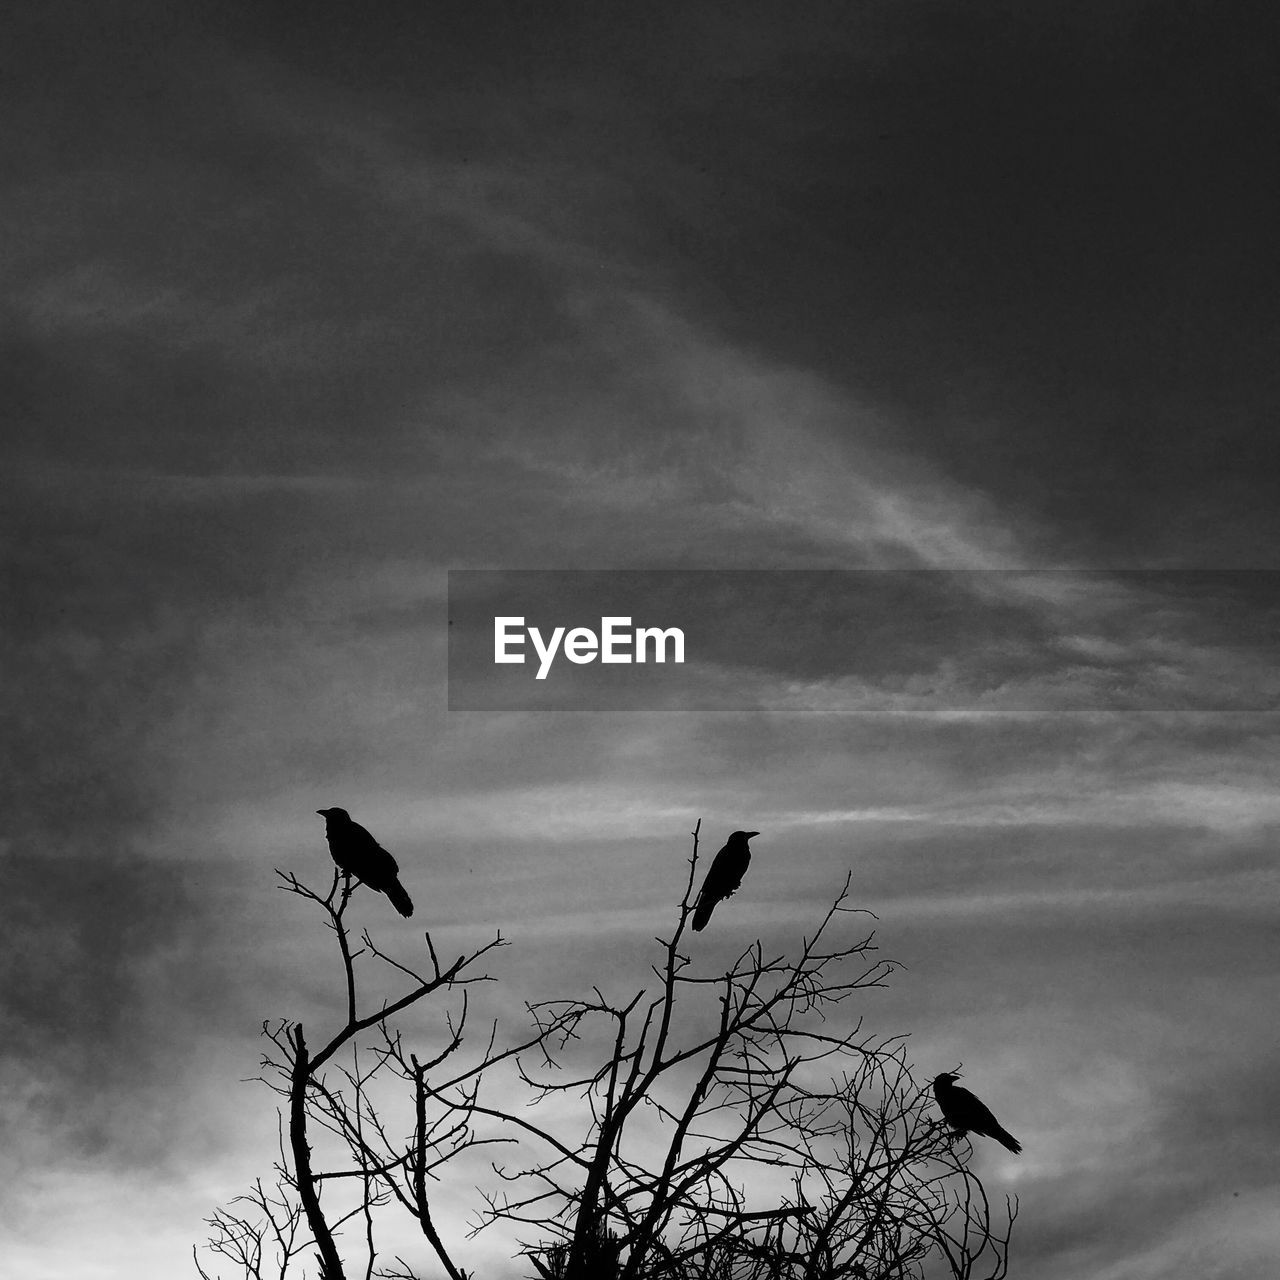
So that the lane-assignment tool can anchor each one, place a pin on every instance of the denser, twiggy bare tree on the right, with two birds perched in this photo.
(734, 1126)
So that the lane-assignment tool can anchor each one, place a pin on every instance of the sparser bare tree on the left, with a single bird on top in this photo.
(336, 1095)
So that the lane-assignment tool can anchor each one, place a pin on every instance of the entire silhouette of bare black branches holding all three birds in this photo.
(721, 1124)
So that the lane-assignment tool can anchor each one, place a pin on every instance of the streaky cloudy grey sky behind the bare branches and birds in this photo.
(957, 324)
